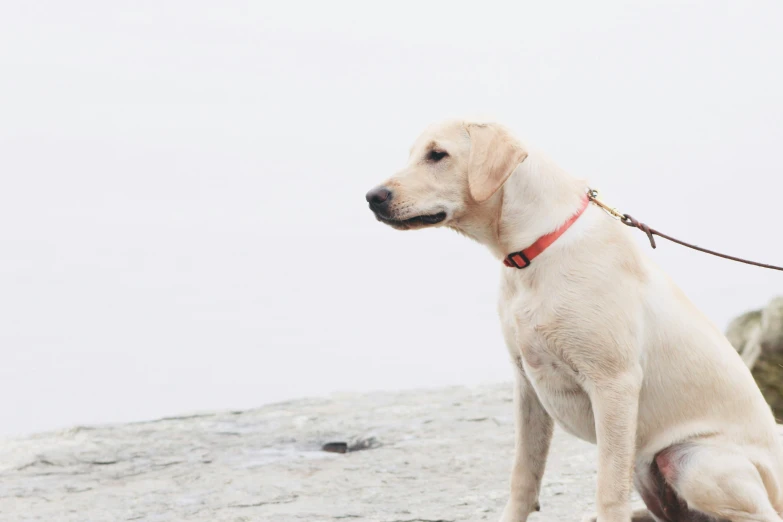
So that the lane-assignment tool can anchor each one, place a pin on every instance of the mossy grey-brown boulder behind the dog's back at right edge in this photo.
(758, 337)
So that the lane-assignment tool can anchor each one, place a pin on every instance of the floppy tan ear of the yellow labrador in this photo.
(494, 154)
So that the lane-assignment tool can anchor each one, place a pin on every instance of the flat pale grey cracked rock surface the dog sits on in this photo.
(434, 455)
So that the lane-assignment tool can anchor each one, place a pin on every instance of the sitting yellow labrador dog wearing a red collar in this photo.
(602, 341)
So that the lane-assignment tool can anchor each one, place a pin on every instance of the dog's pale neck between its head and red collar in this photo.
(535, 200)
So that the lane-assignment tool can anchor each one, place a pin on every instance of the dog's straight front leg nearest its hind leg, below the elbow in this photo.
(615, 402)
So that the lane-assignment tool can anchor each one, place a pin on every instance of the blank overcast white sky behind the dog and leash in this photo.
(182, 214)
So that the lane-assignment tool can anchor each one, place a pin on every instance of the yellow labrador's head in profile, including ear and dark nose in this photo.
(452, 167)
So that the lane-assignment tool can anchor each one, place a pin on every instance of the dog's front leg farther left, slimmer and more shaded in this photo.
(534, 429)
